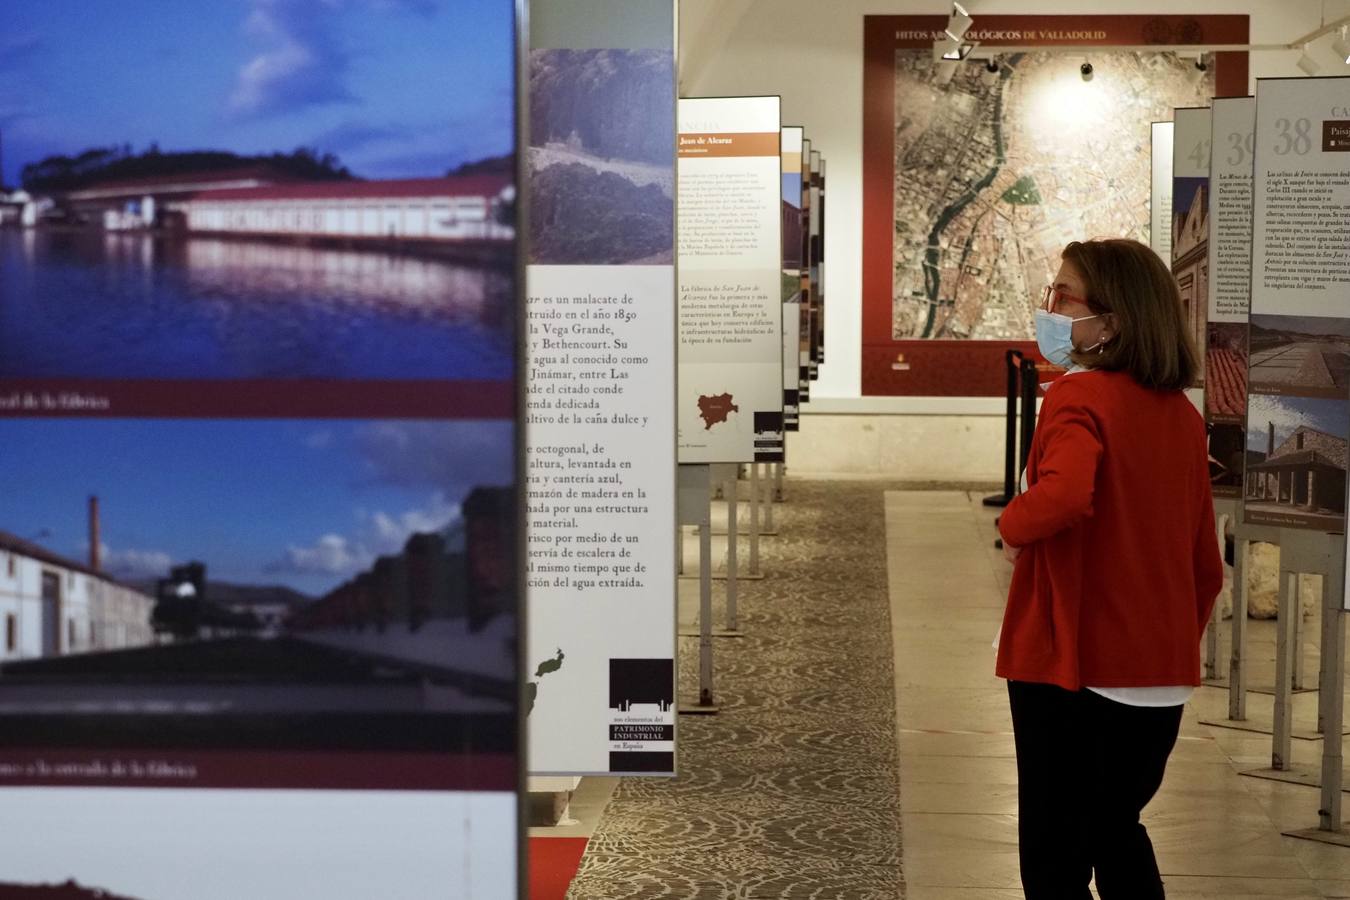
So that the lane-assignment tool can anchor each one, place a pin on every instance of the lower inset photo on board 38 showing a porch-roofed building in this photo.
(1297, 461)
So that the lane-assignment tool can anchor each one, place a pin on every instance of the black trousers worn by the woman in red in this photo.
(1086, 768)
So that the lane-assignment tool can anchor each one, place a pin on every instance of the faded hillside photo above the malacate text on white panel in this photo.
(601, 157)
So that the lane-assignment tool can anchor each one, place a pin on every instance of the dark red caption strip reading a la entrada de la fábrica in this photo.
(271, 771)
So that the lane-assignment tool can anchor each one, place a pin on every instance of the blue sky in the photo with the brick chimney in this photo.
(303, 504)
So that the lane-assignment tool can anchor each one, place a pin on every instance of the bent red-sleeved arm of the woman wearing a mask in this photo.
(1070, 449)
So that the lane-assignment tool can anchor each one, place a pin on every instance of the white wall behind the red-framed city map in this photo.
(811, 53)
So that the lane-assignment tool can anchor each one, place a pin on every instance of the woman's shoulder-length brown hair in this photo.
(1152, 339)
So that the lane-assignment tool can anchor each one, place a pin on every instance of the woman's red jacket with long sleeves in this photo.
(1120, 563)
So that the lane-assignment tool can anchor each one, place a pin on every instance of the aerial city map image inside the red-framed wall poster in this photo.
(998, 171)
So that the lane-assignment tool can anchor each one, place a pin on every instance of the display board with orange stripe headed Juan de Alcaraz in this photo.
(731, 275)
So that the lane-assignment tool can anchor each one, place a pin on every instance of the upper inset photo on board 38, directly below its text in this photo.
(1303, 356)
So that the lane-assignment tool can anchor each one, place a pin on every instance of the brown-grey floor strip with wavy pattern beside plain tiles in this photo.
(793, 790)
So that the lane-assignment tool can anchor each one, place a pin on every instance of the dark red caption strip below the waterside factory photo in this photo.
(257, 399)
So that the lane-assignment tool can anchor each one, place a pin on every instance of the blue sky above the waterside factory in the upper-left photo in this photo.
(395, 88)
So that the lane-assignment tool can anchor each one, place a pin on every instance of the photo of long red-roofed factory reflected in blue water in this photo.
(292, 210)
